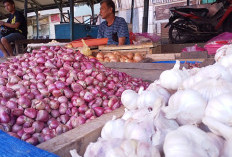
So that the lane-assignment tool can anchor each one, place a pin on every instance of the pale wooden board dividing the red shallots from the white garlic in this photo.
(80, 137)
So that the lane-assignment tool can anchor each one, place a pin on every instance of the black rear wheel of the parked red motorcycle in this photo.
(178, 36)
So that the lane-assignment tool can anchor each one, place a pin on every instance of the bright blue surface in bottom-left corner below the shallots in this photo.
(13, 147)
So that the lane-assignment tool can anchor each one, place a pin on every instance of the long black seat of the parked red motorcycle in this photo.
(197, 11)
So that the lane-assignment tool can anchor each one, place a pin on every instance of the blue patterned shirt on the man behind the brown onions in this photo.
(117, 30)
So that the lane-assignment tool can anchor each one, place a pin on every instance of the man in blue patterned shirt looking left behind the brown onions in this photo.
(114, 28)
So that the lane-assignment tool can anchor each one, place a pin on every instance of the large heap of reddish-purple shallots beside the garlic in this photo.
(52, 90)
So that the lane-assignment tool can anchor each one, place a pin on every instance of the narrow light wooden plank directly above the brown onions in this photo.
(126, 47)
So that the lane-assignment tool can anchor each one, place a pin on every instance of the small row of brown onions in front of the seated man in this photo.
(120, 57)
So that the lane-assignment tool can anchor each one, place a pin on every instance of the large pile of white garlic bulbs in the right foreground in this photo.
(186, 113)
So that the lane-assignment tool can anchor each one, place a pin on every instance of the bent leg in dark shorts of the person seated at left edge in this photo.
(11, 38)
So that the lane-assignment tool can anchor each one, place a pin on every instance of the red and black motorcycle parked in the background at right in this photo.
(193, 24)
